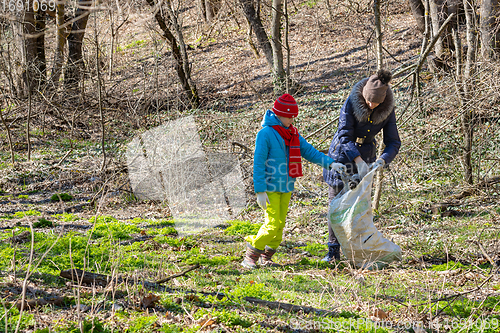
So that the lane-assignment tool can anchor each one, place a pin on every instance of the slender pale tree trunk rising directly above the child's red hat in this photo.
(278, 72)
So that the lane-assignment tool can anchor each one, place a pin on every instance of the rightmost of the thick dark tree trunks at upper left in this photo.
(75, 65)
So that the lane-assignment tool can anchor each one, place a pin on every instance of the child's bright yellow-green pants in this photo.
(271, 232)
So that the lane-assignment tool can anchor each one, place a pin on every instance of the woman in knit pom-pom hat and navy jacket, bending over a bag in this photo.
(368, 109)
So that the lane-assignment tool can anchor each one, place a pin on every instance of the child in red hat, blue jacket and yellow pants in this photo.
(277, 162)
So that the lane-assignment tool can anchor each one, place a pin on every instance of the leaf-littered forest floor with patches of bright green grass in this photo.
(59, 211)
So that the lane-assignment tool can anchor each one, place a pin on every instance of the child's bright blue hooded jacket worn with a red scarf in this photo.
(270, 162)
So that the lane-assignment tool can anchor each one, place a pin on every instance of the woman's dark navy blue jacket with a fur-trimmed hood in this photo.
(358, 121)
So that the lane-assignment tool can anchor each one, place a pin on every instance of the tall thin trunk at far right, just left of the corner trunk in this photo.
(468, 115)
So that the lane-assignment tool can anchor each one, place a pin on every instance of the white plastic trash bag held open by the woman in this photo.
(351, 217)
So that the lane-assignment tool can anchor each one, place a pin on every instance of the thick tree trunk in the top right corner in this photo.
(488, 13)
